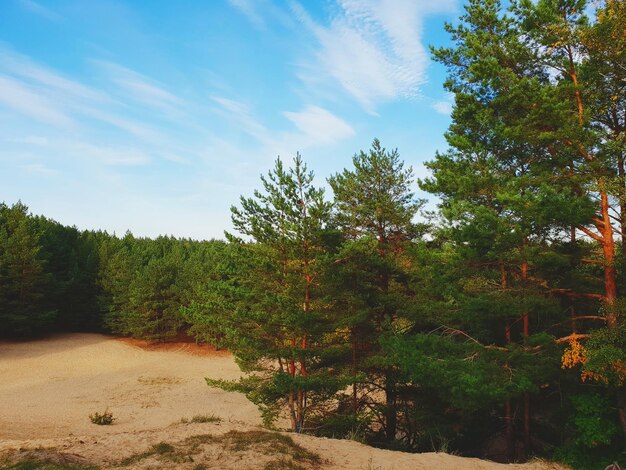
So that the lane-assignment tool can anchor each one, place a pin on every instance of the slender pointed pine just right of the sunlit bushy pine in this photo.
(374, 209)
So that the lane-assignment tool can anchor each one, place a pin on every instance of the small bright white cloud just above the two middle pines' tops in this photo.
(319, 125)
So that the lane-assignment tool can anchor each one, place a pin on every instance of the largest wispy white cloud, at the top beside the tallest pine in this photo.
(372, 49)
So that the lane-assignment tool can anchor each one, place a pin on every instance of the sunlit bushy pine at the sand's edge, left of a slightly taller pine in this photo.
(278, 323)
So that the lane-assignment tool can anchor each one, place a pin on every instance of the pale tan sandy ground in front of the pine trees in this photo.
(48, 389)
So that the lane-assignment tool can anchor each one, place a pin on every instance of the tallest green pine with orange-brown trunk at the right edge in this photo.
(527, 76)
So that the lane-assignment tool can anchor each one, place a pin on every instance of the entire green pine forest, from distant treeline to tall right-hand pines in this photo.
(494, 326)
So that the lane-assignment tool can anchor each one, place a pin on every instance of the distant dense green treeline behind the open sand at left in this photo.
(57, 278)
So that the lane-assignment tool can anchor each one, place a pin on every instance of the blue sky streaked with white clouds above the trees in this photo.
(155, 116)
